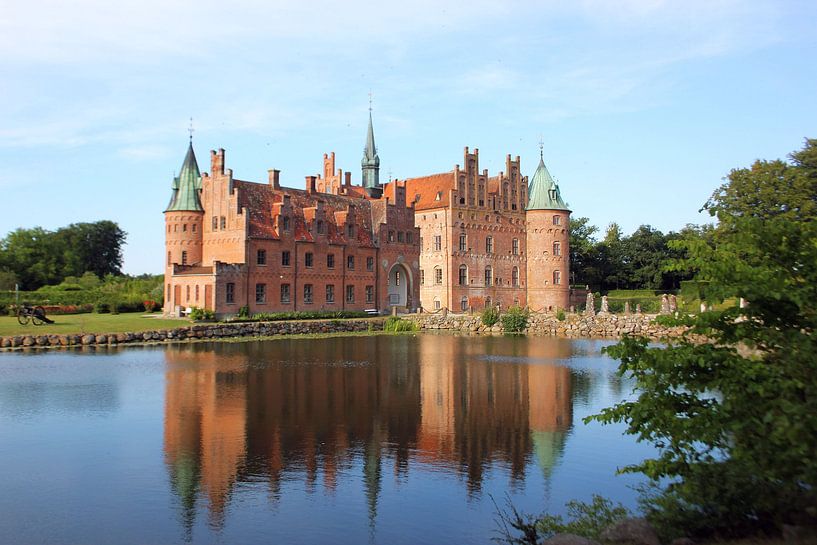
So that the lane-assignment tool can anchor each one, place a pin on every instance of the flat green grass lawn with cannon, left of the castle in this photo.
(90, 323)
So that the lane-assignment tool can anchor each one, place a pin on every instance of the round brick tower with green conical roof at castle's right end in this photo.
(548, 235)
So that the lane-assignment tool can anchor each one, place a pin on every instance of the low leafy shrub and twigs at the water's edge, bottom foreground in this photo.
(585, 519)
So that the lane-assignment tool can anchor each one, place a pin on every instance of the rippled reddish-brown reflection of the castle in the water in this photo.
(294, 409)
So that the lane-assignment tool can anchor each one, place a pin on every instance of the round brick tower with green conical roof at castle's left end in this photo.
(184, 217)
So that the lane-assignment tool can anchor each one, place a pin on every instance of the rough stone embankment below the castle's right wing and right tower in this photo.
(610, 326)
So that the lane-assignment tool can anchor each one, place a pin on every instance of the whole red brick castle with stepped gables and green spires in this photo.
(457, 240)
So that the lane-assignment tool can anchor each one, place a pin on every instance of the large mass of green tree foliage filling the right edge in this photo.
(735, 419)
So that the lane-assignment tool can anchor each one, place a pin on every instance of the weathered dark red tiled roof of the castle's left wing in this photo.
(259, 200)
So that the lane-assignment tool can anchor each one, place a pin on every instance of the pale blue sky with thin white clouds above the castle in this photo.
(643, 106)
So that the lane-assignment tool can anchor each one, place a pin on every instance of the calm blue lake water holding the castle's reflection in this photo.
(389, 439)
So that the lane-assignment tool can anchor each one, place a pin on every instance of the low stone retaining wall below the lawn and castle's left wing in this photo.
(198, 331)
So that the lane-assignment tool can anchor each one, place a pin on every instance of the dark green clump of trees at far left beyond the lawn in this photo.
(38, 257)
